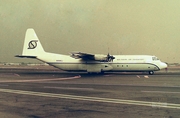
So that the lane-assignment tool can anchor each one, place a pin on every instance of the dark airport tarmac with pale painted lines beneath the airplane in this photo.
(45, 92)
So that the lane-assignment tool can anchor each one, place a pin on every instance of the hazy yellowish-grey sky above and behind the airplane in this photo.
(150, 27)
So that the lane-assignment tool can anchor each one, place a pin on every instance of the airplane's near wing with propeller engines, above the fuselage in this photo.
(92, 57)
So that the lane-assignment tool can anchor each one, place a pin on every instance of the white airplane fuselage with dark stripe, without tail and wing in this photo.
(132, 63)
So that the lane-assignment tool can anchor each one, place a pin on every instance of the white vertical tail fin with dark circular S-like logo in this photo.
(32, 46)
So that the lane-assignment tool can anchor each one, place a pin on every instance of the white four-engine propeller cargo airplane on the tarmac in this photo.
(87, 62)
